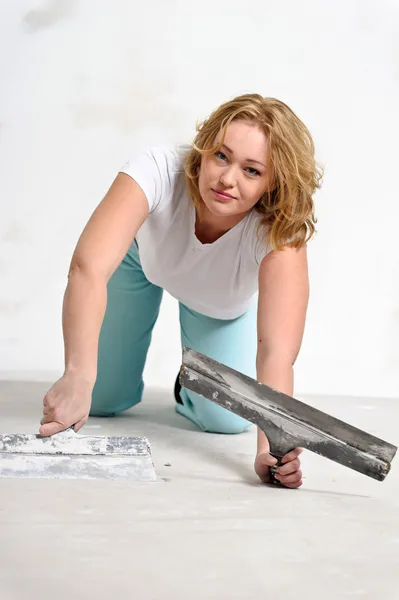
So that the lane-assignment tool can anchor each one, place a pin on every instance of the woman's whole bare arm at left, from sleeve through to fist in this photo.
(100, 249)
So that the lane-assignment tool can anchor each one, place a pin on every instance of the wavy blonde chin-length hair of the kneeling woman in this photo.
(288, 207)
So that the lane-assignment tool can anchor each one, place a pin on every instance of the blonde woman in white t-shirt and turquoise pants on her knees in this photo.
(213, 225)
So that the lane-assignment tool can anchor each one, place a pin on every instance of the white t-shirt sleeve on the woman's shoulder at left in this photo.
(154, 171)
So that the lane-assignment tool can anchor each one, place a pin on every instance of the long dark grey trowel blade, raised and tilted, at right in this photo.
(288, 423)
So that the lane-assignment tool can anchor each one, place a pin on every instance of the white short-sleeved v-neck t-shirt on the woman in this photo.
(218, 279)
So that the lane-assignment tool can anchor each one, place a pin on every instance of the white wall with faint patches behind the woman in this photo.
(84, 83)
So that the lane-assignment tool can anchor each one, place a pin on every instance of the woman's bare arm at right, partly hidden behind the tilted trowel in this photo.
(282, 307)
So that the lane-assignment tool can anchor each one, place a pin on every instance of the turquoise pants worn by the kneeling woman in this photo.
(132, 310)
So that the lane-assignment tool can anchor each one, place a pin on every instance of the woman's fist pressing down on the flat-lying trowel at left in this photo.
(66, 404)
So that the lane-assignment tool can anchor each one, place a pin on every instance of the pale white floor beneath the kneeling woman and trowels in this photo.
(207, 529)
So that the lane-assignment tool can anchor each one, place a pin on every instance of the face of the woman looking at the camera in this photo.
(232, 180)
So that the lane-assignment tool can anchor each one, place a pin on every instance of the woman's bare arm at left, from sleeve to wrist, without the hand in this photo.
(100, 249)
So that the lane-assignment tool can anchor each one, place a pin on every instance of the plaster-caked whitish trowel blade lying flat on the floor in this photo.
(68, 455)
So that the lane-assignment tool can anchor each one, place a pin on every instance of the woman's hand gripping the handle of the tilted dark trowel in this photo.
(289, 474)
